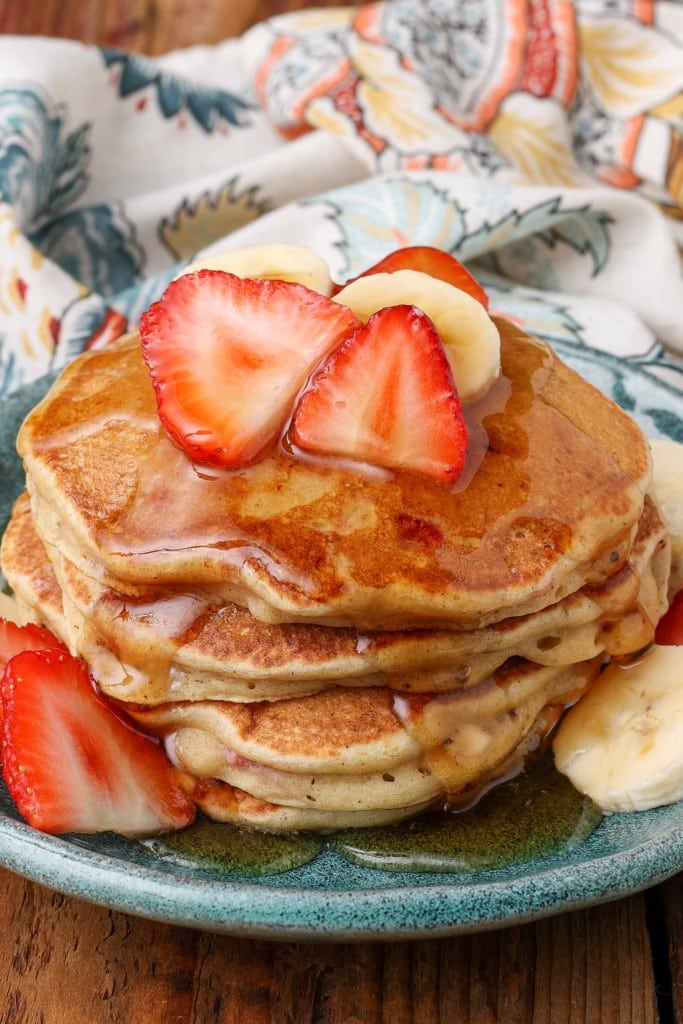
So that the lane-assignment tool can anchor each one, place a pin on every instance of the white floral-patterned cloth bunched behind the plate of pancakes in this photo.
(539, 141)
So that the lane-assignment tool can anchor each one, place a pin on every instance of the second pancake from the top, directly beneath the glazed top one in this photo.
(180, 647)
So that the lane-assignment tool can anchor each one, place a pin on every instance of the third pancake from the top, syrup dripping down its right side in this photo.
(367, 750)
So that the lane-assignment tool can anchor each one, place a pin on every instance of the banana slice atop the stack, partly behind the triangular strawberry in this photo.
(471, 337)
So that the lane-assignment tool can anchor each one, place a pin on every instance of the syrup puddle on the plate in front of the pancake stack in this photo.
(535, 816)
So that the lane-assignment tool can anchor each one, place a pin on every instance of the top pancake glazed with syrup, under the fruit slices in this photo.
(548, 502)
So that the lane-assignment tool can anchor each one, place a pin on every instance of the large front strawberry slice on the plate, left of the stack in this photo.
(73, 763)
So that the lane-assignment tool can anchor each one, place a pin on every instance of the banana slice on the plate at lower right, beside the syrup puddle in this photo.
(623, 744)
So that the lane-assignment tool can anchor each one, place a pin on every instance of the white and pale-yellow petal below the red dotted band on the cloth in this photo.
(532, 136)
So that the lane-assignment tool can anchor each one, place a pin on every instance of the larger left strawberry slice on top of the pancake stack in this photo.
(229, 356)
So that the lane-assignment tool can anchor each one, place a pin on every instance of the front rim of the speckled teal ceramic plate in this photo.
(295, 913)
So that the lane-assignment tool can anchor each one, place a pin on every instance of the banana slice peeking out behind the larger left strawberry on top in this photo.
(278, 263)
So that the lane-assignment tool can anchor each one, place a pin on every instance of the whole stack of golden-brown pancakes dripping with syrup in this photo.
(322, 645)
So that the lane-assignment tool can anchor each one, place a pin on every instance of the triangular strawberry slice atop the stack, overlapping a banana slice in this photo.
(387, 397)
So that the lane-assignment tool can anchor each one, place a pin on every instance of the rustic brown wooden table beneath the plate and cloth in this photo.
(65, 962)
